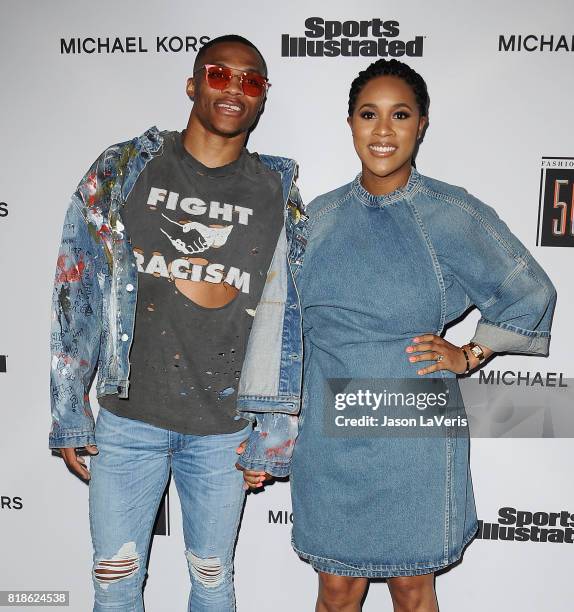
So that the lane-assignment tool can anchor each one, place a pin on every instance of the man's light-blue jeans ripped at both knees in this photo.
(129, 476)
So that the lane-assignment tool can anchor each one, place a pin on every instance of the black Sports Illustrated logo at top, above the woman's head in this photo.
(373, 38)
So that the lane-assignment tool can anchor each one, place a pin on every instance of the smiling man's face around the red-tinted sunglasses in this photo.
(227, 112)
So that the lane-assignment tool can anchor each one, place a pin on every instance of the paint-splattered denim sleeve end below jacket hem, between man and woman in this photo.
(270, 445)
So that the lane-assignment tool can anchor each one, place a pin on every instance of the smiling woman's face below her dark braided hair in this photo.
(386, 124)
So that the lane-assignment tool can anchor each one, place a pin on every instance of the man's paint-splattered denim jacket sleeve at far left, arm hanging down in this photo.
(75, 327)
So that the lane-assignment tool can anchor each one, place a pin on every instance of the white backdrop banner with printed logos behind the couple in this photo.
(78, 76)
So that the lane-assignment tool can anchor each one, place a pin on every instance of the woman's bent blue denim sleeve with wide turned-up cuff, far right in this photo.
(515, 297)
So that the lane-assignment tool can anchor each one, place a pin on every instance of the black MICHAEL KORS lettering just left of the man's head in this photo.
(131, 44)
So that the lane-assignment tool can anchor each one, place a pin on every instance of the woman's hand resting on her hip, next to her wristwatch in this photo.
(443, 354)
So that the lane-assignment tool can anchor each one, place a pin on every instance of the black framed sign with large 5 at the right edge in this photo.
(556, 202)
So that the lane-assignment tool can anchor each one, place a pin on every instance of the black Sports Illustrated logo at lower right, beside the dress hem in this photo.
(525, 526)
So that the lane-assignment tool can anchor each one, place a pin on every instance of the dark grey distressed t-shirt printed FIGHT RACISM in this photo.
(203, 239)
